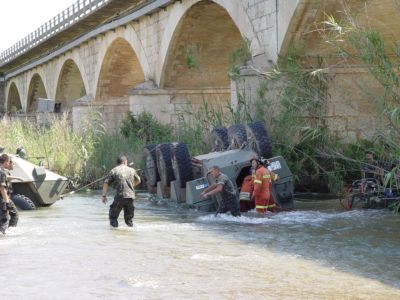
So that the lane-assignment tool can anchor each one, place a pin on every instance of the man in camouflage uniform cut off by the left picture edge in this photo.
(8, 211)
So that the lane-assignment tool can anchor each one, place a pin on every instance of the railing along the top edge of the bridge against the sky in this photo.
(63, 20)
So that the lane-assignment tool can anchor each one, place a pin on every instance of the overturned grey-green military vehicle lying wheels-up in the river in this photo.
(172, 173)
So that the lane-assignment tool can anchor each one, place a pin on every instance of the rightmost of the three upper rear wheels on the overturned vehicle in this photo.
(258, 139)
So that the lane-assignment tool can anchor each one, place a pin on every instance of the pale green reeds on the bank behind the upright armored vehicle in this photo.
(80, 156)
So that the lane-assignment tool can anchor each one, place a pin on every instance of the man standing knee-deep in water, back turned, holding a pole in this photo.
(124, 180)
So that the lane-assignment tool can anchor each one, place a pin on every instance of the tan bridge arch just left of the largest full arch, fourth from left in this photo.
(120, 69)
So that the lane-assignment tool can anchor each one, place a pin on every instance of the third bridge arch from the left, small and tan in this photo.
(70, 85)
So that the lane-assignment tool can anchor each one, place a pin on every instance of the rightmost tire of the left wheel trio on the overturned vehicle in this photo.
(182, 164)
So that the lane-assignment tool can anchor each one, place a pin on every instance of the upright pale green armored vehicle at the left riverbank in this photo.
(39, 187)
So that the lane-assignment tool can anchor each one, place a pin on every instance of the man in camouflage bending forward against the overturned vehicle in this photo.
(223, 185)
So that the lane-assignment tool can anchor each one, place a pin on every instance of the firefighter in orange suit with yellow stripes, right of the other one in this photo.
(263, 187)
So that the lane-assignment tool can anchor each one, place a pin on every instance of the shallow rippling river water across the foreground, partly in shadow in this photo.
(68, 251)
